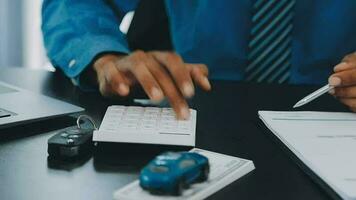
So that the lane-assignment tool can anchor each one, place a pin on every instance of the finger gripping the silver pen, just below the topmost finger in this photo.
(343, 78)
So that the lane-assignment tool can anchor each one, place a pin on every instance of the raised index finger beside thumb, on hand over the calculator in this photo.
(176, 67)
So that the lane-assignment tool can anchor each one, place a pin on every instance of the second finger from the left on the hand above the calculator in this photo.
(149, 84)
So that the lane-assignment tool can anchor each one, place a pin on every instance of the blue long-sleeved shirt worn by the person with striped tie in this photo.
(212, 32)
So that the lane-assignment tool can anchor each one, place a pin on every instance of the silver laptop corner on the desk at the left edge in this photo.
(18, 106)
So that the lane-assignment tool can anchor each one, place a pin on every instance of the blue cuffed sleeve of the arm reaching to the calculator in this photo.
(76, 31)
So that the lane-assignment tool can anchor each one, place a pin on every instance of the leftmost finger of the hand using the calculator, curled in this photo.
(115, 79)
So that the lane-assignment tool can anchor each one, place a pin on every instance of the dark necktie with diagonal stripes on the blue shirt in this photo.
(270, 45)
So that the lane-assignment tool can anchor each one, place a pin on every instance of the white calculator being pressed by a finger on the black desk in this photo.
(146, 125)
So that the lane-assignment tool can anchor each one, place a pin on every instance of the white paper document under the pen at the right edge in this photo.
(324, 141)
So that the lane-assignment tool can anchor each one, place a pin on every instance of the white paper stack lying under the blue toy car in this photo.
(224, 170)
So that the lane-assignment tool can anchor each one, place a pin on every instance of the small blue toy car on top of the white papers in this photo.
(172, 172)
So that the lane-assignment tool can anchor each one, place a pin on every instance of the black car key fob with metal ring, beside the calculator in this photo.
(72, 142)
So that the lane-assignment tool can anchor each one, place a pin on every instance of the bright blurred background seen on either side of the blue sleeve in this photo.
(21, 43)
